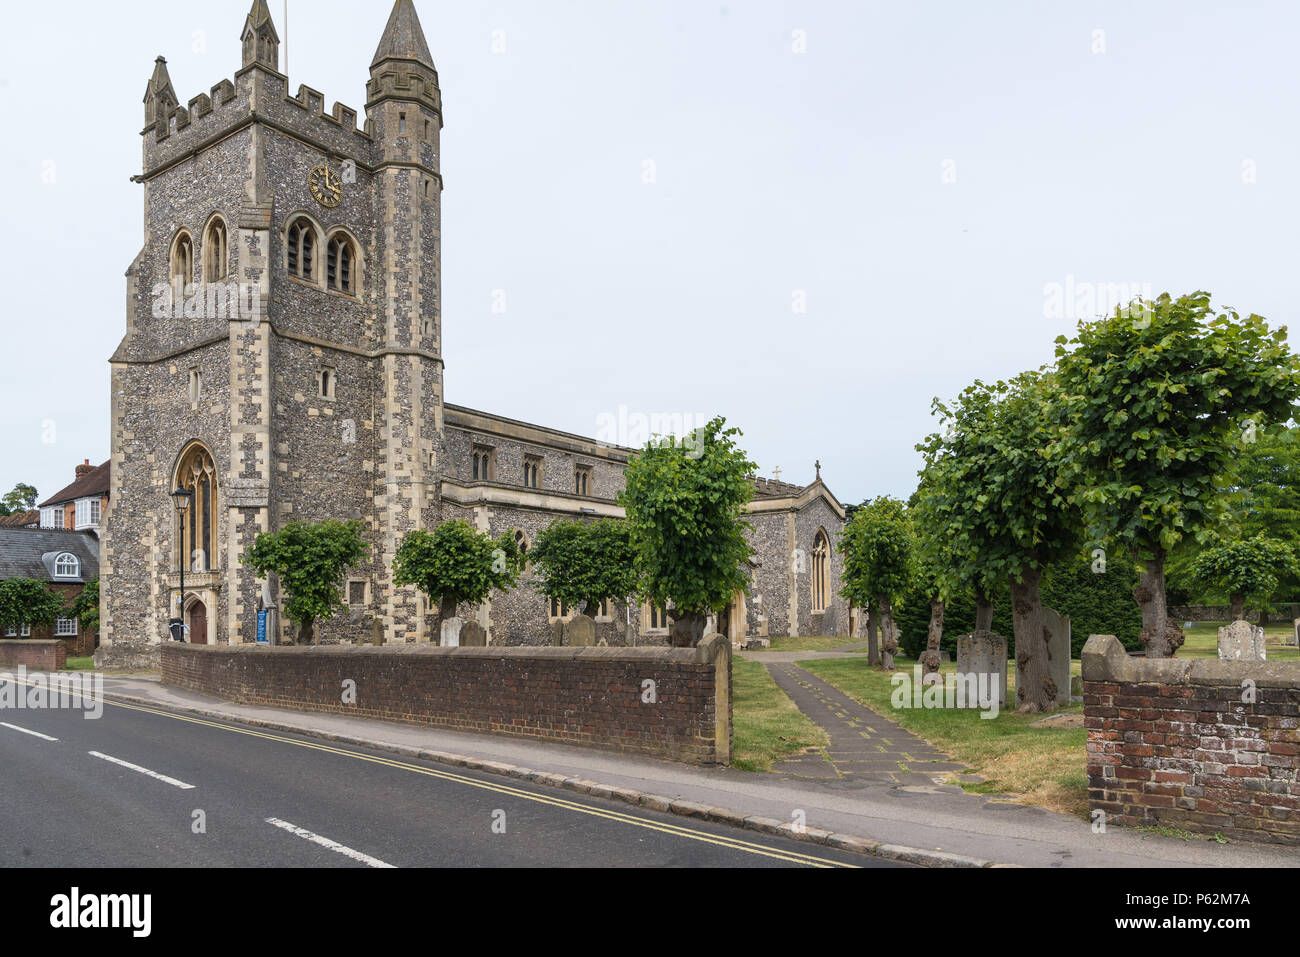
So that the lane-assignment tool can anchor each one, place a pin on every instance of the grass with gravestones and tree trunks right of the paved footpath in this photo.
(1038, 765)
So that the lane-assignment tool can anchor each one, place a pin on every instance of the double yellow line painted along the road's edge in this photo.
(674, 830)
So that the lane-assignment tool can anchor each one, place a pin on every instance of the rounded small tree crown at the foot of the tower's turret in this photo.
(457, 564)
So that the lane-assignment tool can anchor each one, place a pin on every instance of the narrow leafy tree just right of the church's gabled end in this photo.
(879, 556)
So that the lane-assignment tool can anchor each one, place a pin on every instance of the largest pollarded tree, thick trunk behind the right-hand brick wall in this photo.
(1156, 401)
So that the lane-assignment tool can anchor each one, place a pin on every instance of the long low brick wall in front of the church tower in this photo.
(584, 696)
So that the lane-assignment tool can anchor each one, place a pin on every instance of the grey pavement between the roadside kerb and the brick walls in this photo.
(922, 820)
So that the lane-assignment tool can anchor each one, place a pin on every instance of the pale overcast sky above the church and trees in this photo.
(809, 216)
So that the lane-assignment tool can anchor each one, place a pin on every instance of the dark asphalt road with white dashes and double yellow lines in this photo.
(150, 787)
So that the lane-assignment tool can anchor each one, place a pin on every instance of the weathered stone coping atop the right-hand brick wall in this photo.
(1106, 660)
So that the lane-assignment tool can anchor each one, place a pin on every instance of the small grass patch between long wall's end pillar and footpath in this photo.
(768, 725)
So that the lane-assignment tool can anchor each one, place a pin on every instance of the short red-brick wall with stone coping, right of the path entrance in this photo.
(1175, 743)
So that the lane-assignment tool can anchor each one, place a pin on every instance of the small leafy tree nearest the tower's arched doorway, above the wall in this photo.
(311, 562)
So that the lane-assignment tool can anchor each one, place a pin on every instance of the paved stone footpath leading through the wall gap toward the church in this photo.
(865, 747)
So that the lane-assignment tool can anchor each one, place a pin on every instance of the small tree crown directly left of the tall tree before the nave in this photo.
(582, 564)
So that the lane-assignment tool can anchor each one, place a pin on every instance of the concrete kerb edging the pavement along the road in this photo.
(640, 799)
